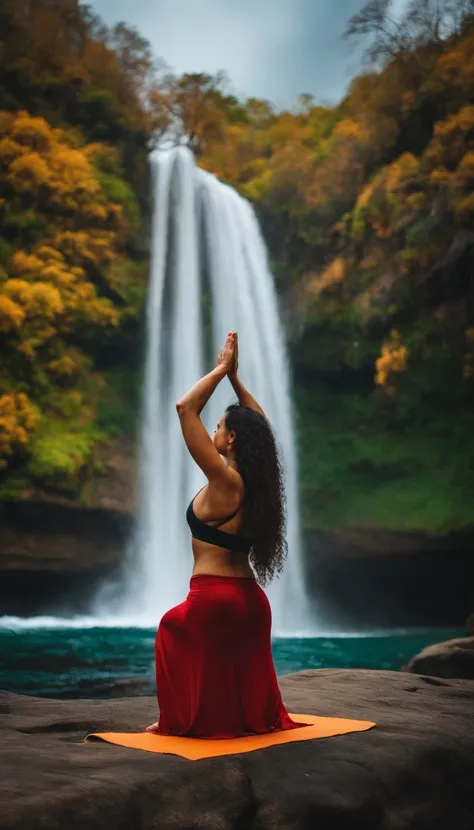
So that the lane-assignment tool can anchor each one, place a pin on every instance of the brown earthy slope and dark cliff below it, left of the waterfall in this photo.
(55, 551)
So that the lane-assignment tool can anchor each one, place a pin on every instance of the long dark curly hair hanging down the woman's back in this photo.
(264, 507)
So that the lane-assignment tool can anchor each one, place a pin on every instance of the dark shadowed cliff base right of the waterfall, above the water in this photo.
(370, 578)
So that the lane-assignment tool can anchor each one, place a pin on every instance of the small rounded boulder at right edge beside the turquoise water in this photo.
(453, 658)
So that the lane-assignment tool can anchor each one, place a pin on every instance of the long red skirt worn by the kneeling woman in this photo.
(215, 675)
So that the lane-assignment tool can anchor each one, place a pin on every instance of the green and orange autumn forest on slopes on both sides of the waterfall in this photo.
(367, 207)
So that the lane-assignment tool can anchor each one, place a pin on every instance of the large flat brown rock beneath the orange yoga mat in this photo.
(413, 771)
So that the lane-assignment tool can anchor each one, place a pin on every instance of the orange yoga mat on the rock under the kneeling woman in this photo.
(196, 748)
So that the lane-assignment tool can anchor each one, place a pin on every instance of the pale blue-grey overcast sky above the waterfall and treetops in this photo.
(274, 49)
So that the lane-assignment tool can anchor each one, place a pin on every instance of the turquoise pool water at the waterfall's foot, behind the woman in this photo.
(71, 662)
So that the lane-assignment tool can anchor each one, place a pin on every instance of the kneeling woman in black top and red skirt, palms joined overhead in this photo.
(214, 668)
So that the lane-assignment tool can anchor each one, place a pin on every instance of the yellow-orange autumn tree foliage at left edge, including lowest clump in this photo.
(51, 195)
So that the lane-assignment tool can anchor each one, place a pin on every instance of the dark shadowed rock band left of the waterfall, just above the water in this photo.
(54, 556)
